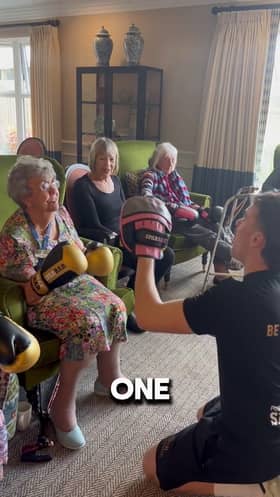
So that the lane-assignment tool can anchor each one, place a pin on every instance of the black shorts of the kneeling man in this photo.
(200, 453)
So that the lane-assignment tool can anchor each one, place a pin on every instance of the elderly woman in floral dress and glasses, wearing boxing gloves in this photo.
(88, 318)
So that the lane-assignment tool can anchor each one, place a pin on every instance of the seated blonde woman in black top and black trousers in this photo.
(97, 199)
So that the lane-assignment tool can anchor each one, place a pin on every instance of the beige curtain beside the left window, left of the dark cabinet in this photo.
(45, 75)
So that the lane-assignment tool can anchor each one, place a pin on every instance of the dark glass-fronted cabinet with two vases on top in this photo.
(118, 102)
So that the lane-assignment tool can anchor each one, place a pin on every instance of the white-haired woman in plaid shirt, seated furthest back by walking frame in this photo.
(163, 181)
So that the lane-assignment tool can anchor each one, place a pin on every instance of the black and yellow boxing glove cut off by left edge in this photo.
(19, 350)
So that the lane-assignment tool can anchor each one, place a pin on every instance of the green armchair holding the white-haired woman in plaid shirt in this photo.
(134, 156)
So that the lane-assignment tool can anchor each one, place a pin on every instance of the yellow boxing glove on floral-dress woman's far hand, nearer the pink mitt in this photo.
(100, 259)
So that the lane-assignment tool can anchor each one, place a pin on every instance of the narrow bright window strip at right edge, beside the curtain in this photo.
(272, 135)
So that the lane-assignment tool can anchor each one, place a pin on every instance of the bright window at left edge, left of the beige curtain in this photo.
(15, 115)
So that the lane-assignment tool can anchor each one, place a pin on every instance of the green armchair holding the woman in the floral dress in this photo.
(12, 302)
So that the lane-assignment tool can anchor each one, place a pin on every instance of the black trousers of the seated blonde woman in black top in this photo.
(162, 266)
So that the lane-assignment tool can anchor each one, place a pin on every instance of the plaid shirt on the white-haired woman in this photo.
(171, 189)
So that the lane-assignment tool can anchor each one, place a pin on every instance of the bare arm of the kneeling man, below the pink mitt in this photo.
(151, 313)
